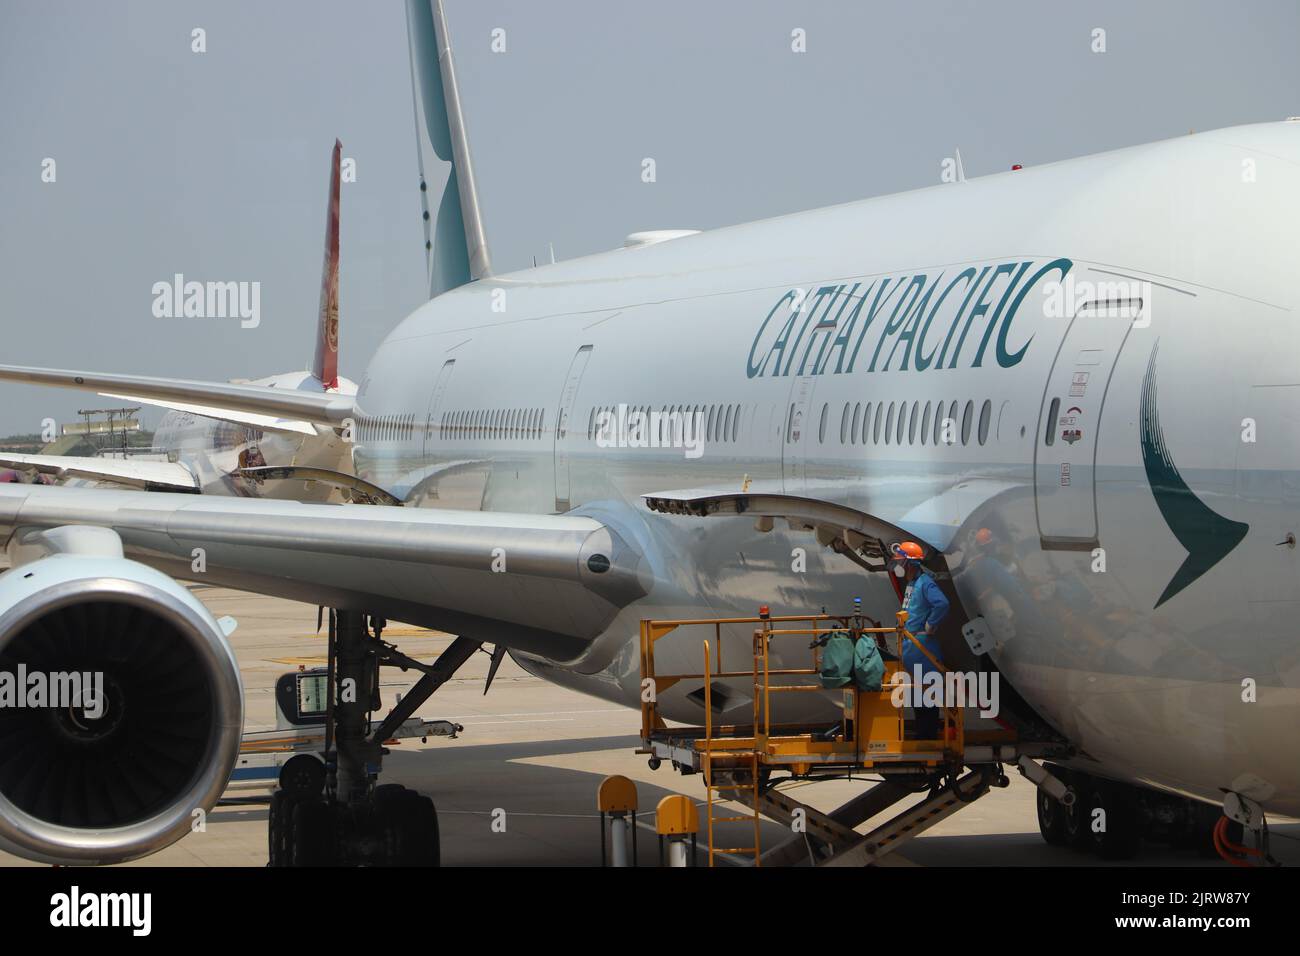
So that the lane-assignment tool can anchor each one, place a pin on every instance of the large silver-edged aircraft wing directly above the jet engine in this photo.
(548, 585)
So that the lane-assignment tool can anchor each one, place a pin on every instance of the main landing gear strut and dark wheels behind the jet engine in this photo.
(336, 814)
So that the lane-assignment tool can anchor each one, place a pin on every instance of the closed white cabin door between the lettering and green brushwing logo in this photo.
(1065, 448)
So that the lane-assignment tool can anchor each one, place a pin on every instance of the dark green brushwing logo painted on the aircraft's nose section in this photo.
(1207, 535)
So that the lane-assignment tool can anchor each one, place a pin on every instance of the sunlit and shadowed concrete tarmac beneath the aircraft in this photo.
(518, 788)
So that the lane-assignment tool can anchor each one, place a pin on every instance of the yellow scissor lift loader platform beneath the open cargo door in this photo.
(738, 760)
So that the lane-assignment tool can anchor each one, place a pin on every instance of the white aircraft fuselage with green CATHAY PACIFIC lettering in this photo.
(1132, 574)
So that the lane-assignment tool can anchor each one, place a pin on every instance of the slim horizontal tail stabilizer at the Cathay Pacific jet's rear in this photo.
(320, 409)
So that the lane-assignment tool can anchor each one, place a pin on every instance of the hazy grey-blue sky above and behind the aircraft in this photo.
(215, 165)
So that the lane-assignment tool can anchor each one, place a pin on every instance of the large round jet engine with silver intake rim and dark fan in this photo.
(122, 710)
